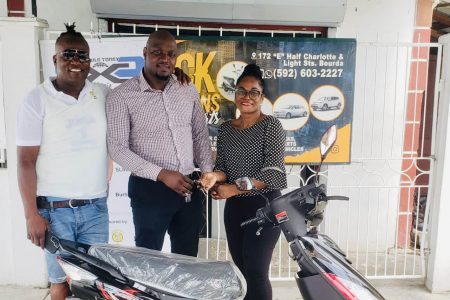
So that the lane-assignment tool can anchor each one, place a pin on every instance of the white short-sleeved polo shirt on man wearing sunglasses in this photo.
(72, 160)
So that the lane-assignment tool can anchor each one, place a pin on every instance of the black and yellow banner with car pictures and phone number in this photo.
(309, 87)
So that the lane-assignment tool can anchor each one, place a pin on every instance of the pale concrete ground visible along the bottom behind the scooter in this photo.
(283, 290)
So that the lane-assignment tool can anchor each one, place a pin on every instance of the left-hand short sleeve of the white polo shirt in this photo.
(29, 120)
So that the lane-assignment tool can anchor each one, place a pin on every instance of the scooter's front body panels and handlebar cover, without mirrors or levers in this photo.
(316, 254)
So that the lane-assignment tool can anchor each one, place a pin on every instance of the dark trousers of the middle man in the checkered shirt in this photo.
(157, 209)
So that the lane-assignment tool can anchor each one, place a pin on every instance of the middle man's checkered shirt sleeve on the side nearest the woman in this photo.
(200, 135)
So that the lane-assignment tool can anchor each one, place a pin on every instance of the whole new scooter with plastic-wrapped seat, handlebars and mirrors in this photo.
(131, 273)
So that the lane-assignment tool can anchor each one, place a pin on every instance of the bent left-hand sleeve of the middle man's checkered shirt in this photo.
(118, 134)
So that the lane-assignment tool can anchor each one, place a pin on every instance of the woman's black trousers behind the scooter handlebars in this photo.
(251, 253)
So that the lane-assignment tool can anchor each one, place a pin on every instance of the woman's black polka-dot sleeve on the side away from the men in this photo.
(273, 172)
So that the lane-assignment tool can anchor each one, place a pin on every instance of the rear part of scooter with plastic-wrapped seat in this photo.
(111, 272)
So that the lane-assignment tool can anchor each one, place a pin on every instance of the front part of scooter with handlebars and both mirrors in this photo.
(324, 271)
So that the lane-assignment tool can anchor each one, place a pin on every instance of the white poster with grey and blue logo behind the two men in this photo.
(113, 60)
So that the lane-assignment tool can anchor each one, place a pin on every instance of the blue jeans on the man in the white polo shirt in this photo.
(86, 224)
